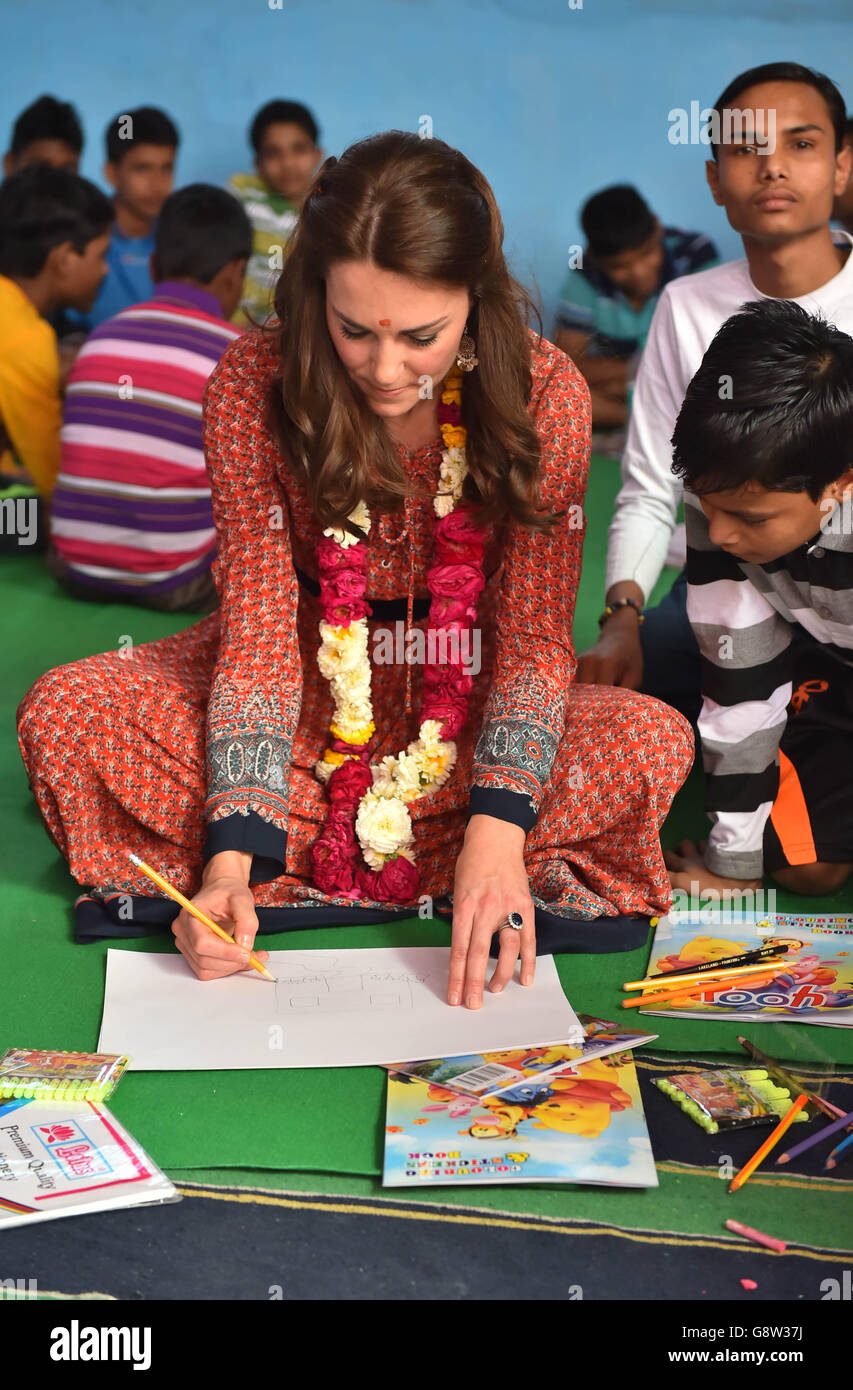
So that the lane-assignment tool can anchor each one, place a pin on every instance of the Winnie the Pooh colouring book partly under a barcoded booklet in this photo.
(583, 1128)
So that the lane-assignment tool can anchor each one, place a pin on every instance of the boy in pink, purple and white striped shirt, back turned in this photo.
(133, 515)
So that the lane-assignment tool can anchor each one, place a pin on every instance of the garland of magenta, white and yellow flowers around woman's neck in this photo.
(369, 804)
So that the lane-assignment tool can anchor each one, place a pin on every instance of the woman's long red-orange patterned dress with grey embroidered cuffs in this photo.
(208, 740)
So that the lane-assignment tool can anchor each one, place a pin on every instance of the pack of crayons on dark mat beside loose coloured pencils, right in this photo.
(729, 1097)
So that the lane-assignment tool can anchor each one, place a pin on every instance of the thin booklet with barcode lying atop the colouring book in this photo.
(492, 1074)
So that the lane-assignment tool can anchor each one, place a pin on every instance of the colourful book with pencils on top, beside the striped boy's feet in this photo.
(813, 986)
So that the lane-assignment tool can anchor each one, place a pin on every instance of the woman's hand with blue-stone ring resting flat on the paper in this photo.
(491, 882)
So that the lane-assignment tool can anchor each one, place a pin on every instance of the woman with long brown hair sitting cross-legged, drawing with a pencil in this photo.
(398, 457)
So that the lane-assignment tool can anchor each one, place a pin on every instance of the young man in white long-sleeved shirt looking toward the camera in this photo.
(779, 197)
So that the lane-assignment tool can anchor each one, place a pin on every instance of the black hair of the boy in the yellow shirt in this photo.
(42, 208)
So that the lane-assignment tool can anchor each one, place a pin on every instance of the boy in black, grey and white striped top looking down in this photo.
(765, 447)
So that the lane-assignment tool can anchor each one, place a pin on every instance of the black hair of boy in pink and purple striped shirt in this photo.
(201, 230)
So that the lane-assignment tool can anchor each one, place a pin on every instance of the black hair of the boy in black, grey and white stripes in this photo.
(772, 404)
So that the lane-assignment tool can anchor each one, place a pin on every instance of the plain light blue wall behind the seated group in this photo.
(551, 102)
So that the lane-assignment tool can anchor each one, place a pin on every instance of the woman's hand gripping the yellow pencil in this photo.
(227, 899)
